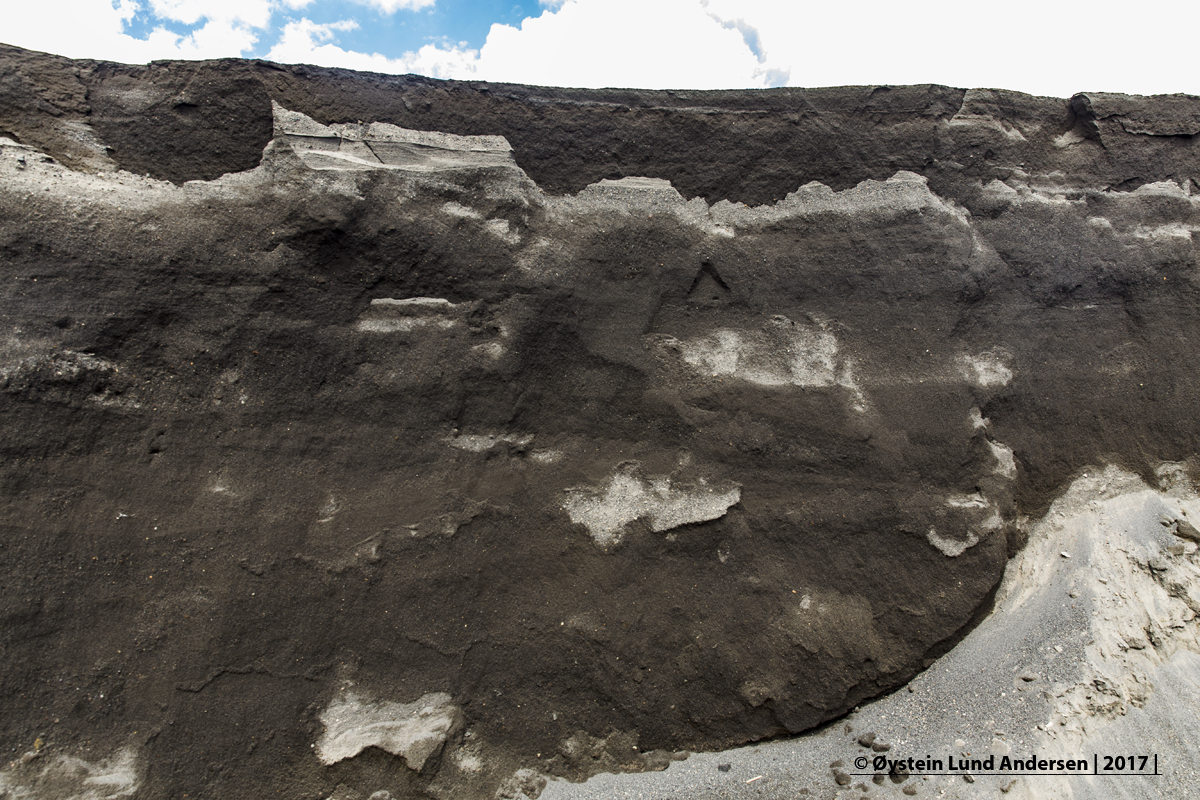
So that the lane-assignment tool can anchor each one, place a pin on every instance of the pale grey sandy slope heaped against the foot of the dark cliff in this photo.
(1091, 651)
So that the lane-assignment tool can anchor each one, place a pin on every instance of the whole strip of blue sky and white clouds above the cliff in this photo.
(1045, 47)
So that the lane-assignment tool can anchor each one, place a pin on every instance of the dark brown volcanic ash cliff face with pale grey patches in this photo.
(343, 459)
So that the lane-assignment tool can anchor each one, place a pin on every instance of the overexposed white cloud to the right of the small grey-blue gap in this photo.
(1033, 46)
